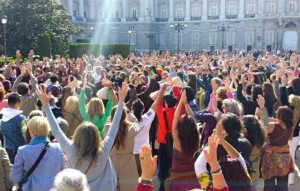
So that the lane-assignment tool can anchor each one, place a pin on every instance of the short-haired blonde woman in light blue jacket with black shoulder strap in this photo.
(51, 163)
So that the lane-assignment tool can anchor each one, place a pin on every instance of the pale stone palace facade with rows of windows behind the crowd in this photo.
(210, 24)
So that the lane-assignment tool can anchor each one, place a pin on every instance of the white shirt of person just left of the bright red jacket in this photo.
(142, 138)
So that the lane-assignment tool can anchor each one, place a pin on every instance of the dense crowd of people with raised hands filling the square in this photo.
(200, 120)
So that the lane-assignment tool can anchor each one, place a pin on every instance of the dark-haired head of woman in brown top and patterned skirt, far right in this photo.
(285, 115)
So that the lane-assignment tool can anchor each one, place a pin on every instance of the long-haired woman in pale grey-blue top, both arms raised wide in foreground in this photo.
(86, 151)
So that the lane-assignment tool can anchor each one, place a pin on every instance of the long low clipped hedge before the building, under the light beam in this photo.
(78, 49)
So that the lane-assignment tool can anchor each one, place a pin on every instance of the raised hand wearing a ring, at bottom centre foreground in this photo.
(148, 163)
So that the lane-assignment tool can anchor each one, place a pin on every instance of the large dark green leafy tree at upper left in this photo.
(29, 18)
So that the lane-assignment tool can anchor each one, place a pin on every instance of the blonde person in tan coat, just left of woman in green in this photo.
(72, 115)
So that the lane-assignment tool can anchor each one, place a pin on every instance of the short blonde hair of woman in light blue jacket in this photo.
(38, 126)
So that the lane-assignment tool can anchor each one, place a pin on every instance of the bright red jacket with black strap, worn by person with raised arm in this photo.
(162, 130)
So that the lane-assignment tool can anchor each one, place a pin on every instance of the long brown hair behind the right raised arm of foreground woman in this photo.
(123, 128)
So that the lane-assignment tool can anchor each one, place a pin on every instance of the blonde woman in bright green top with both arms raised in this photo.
(95, 111)
